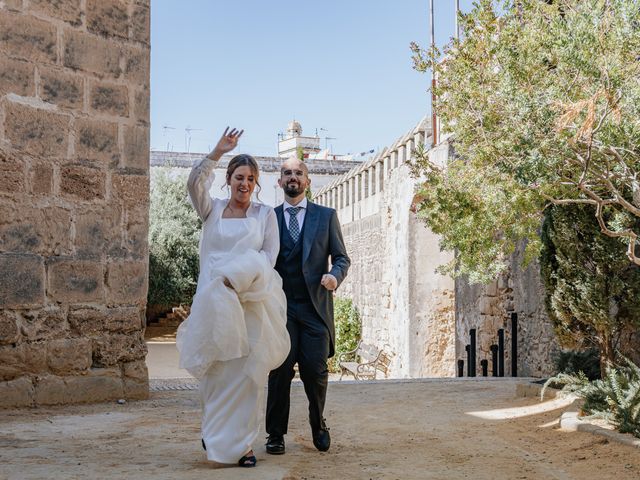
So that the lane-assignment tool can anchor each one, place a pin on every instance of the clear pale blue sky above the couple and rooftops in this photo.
(341, 65)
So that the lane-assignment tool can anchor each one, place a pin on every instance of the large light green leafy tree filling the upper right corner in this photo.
(543, 102)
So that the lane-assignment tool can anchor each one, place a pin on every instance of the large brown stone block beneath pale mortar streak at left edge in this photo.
(39, 132)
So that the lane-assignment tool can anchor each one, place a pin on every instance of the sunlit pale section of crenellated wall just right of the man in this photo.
(406, 308)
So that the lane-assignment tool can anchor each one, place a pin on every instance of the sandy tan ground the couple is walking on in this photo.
(438, 429)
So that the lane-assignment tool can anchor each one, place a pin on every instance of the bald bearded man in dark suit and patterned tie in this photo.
(310, 239)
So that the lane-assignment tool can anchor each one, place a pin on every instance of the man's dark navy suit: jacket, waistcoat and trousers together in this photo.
(310, 324)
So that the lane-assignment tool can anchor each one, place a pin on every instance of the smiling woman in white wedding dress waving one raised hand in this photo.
(236, 332)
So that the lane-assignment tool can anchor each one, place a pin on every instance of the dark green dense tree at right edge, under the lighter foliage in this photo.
(592, 290)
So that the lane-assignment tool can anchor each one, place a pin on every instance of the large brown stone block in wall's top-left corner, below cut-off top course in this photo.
(27, 38)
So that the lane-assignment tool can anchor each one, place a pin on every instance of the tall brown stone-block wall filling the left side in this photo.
(74, 156)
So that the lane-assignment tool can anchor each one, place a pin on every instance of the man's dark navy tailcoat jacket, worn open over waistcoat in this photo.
(322, 240)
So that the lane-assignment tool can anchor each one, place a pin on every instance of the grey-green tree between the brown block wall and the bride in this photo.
(174, 232)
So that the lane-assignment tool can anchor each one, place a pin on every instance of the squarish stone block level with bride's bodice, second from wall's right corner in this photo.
(98, 230)
